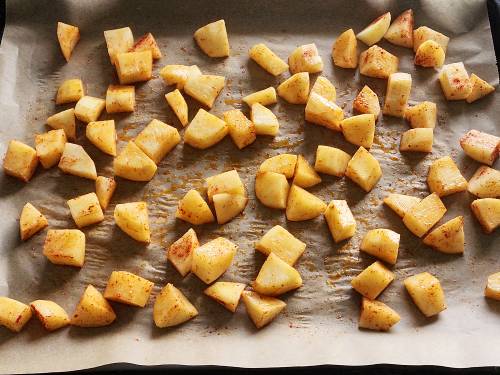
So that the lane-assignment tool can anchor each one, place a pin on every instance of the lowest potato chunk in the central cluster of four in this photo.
(302, 205)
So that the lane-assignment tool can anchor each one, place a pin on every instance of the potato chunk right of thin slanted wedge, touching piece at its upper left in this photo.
(204, 88)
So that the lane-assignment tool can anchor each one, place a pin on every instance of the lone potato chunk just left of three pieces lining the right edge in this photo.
(444, 177)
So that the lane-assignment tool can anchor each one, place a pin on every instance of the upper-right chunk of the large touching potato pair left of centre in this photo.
(157, 139)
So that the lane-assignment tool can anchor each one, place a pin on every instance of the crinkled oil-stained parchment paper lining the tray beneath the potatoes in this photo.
(320, 322)
